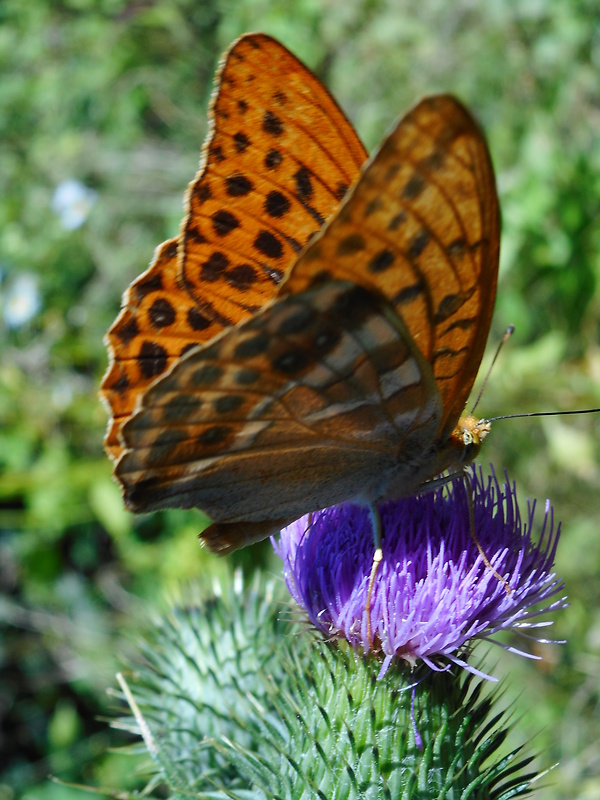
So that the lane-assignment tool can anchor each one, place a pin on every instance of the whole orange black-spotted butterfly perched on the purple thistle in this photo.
(313, 334)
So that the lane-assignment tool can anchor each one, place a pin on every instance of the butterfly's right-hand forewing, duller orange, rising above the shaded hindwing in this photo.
(421, 226)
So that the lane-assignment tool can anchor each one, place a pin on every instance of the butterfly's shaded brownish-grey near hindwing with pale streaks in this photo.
(302, 406)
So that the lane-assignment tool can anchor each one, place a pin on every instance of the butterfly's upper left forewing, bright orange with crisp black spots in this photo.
(280, 159)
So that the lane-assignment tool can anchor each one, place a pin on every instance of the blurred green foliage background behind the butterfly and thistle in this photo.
(102, 116)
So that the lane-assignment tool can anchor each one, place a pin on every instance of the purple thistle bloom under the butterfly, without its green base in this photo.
(433, 591)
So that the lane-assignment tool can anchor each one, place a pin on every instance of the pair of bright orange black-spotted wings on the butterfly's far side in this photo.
(279, 157)
